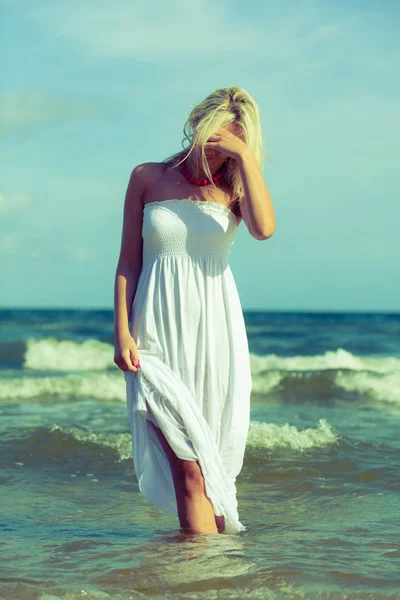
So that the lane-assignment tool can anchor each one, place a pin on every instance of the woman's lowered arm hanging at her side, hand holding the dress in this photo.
(128, 271)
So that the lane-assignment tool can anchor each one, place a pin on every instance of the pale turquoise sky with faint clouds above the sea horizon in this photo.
(89, 90)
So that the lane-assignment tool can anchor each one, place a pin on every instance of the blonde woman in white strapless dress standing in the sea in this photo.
(180, 336)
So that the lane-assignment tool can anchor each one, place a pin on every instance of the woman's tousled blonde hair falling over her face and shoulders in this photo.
(221, 107)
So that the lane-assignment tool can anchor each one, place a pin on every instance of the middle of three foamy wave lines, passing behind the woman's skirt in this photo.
(320, 387)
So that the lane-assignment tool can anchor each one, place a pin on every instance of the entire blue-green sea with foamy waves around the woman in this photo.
(318, 492)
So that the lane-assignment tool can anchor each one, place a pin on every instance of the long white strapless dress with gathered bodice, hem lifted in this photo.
(195, 379)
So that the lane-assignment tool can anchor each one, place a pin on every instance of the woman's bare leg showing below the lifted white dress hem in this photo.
(195, 510)
